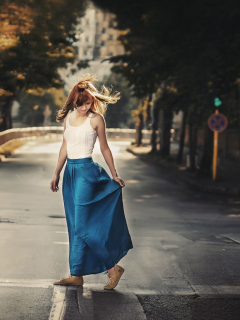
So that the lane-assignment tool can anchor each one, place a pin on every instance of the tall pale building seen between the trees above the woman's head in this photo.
(96, 41)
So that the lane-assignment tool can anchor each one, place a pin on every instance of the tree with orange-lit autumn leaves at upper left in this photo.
(35, 44)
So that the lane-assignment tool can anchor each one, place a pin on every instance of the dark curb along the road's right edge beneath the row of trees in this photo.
(181, 178)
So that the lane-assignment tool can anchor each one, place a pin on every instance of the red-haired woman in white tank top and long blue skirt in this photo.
(97, 228)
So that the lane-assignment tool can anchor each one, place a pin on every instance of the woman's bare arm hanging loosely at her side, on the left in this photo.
(61, 160)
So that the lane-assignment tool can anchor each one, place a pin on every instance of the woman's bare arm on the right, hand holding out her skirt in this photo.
(104, 147)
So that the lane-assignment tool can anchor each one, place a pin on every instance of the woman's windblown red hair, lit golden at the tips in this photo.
(84, 90)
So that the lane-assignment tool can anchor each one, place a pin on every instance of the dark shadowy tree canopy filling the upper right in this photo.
(195, 43)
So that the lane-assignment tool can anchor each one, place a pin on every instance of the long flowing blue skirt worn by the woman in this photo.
(97, 228)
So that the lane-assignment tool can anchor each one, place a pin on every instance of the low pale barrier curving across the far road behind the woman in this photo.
(20, 133)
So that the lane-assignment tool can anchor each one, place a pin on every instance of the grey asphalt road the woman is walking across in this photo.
(184, 264)
